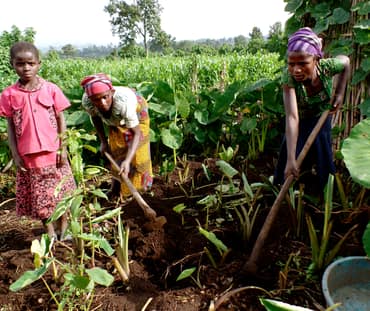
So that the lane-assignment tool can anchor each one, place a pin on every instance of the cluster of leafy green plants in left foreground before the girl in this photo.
(89, 227)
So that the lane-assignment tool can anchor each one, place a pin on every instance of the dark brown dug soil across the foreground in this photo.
(158, 256)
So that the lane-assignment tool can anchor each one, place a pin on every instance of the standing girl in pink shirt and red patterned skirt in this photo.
(34, 110)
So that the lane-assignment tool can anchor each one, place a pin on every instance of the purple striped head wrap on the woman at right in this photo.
(305, 40)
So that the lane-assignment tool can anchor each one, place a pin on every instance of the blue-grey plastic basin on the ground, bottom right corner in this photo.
(347, 281)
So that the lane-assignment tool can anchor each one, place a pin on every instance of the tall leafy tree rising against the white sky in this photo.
(141, 19)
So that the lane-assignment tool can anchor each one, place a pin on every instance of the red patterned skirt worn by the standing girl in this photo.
(36, 187)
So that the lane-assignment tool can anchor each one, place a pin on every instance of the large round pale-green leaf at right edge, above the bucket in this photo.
(356, 153)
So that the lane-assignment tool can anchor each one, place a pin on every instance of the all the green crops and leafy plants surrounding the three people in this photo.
(213, 102)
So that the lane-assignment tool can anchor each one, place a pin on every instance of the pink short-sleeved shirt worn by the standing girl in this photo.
(34, 115)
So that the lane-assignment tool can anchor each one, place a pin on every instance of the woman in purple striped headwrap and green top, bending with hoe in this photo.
(307, 90)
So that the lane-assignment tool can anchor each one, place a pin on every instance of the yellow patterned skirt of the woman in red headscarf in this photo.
(120, 139)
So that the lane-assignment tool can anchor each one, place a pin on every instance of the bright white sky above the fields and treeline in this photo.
(84, 22)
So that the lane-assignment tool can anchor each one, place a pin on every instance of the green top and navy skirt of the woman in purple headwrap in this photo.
(320, 155)
